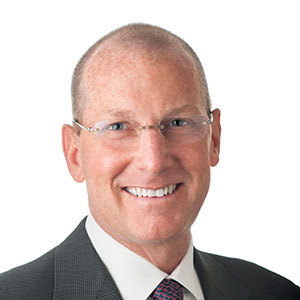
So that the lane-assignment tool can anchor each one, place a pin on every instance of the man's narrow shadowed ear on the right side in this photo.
(215, 138)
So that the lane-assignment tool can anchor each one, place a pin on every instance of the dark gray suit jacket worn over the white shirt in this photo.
(74, 271)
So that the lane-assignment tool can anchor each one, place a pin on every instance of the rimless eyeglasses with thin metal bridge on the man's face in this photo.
(177, 130)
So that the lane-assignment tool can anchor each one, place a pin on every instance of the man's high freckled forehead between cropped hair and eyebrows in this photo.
(119, 78)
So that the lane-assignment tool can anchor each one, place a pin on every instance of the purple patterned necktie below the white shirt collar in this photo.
(168, 289)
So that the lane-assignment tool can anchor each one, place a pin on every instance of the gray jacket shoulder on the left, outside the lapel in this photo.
(33, 280)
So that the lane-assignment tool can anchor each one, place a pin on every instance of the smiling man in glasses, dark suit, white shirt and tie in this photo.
(143, 138)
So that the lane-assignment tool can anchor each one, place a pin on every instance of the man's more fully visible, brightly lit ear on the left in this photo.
(70, 142)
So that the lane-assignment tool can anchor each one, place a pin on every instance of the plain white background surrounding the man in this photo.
(250, 51)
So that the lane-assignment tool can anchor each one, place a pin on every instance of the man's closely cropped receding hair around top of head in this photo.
(137, 35)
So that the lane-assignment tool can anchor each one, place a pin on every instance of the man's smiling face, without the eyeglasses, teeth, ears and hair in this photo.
(144, 89)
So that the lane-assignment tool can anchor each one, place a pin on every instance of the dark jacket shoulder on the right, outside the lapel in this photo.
(257, 279)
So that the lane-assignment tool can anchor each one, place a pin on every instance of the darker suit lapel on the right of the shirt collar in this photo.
(217, 283)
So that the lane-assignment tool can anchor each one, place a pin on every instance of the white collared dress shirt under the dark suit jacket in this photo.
(132, 272)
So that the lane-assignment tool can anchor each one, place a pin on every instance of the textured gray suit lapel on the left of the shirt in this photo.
(79, 272)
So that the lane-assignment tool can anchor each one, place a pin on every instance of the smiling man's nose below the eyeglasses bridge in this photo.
(152, 152)
